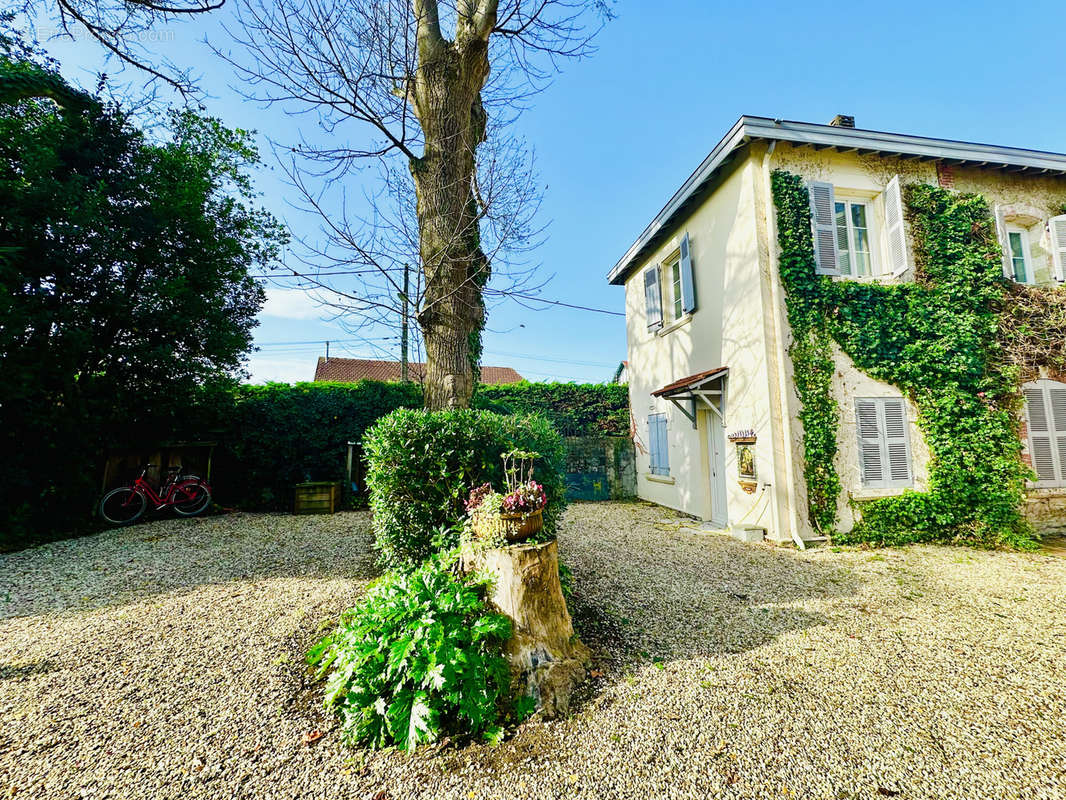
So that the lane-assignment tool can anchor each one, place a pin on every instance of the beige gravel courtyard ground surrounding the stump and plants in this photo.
(164, 662)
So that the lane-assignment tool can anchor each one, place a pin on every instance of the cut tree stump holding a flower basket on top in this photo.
(546, 657)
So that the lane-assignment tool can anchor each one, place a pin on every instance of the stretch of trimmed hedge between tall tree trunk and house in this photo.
(575, 409)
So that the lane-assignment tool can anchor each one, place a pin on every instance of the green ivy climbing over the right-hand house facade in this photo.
(941, 341)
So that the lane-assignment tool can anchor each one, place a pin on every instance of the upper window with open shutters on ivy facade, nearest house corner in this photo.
(845, 239)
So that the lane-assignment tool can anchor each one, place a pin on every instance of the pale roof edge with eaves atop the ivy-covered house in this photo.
(821, 137)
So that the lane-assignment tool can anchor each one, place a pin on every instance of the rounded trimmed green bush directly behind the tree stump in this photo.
(423, 466)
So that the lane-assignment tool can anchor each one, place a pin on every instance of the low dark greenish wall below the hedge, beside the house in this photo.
(601, 469)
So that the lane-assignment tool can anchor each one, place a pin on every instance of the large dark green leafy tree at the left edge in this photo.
(124, 289)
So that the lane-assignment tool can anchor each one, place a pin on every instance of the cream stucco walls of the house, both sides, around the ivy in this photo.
(740, 324)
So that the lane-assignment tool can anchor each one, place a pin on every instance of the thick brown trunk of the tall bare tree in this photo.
(448, 104)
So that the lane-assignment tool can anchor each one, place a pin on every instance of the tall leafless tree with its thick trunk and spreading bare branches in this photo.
(425, 99)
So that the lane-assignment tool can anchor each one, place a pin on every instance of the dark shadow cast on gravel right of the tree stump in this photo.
(654, 595)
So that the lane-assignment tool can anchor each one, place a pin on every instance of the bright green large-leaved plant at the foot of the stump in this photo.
(418, 658)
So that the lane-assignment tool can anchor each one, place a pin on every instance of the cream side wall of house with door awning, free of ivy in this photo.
(726, 330)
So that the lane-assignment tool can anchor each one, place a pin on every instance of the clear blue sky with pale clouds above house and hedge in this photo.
(618, 134)
